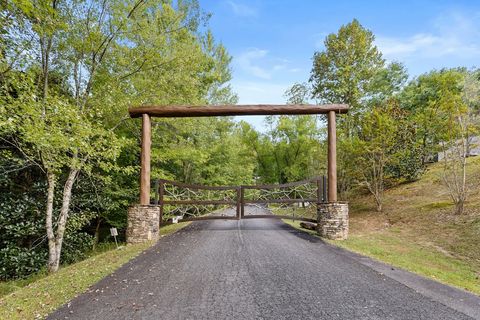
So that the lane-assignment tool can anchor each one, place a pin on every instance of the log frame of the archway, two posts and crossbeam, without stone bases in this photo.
(182, 111)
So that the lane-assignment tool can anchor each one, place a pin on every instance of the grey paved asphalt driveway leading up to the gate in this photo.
(262, 269)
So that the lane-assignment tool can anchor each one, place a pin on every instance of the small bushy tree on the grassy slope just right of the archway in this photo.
(384, 150)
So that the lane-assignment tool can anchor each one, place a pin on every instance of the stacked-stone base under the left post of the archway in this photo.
(143, 223)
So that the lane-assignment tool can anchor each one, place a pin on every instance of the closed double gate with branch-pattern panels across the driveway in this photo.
(188, 202)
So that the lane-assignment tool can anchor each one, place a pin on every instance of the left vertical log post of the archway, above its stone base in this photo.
(145, 160)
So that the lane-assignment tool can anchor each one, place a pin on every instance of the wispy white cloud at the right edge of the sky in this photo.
(453, 35)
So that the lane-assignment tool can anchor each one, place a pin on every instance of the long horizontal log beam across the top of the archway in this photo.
(170, 111)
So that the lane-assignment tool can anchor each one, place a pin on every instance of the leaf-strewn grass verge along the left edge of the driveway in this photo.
(42, 294)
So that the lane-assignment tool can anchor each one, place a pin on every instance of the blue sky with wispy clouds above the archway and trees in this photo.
(273, 42)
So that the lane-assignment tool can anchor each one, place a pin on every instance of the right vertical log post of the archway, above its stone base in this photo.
(332, 158)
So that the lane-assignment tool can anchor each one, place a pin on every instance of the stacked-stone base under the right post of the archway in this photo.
(332, 220)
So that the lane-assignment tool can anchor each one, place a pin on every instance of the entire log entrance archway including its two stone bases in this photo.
(143, 219)
